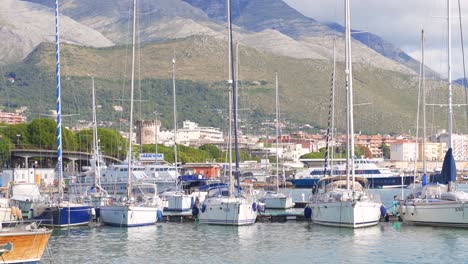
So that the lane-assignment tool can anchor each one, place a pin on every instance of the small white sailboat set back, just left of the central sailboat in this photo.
(177, 200)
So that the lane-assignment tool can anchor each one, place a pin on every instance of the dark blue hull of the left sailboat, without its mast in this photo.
(62, 215)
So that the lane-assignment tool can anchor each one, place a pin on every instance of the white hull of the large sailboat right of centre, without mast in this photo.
(346, 213)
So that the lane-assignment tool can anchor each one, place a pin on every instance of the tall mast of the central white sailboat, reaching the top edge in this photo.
(234, 90)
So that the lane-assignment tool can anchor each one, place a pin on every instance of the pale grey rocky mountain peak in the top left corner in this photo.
(25, 25)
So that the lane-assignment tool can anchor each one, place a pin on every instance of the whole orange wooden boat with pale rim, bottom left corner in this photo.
(23, 243)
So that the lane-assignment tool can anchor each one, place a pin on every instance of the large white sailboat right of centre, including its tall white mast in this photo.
(342, 201)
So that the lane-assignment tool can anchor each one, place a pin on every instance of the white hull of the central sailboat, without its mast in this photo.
(228, 211)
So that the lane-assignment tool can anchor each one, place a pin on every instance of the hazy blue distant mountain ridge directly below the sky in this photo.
(259, 15)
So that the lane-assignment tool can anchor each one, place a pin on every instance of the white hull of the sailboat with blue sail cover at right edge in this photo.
(435, 213)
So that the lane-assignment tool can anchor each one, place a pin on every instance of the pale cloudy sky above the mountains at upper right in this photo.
(400, 22)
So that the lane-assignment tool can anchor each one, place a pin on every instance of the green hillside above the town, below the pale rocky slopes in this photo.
(389, 97)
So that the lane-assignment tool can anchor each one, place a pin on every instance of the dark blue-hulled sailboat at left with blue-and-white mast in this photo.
(60, 213)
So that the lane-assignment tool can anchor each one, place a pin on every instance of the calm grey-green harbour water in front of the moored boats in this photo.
(290, 242)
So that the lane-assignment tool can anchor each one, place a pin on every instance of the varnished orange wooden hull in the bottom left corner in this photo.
(28, 246)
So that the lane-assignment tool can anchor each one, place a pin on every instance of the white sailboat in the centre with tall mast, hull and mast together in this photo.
(230, 205)
